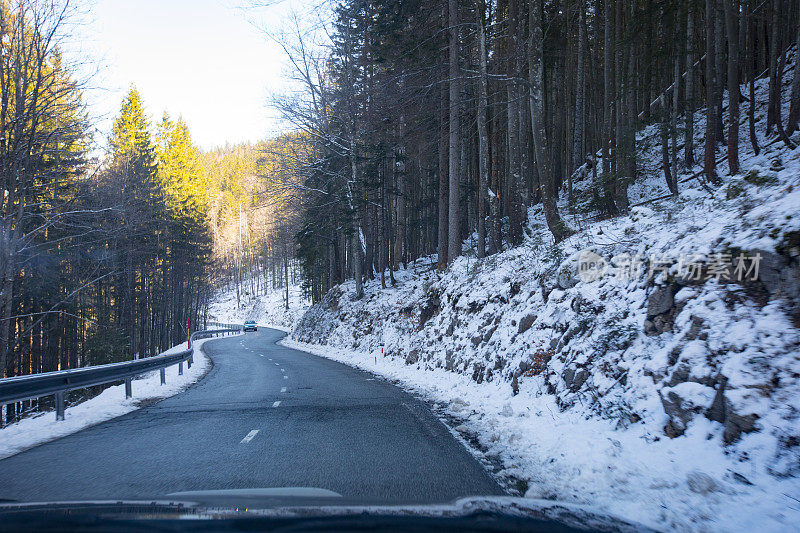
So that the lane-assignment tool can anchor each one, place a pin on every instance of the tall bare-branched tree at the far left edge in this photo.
(38, 113)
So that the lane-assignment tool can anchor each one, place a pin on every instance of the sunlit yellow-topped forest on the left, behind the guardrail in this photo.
(110, 248)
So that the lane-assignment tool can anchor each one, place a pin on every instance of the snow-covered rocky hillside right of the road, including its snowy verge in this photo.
(660, 382)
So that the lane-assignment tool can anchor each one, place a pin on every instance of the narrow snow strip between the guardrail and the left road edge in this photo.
(111, 403)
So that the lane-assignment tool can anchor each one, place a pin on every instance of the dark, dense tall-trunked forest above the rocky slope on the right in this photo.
(433, 128)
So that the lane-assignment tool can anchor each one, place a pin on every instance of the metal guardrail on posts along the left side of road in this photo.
(19, 388)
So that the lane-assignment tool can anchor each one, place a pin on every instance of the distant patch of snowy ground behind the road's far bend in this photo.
(267, 310)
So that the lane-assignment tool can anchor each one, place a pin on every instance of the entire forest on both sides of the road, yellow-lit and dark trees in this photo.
(412, 129)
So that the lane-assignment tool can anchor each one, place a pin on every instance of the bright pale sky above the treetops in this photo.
(201, 59)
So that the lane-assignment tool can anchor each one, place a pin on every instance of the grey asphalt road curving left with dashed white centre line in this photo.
(264, 416)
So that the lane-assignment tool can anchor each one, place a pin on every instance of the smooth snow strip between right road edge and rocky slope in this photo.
(682, 484)
